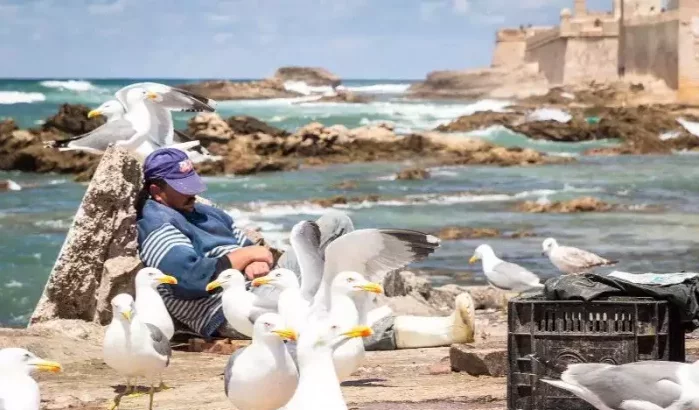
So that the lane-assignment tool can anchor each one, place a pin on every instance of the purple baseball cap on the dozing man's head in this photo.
(175, 167)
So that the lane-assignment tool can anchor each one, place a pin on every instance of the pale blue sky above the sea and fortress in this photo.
(373, 39)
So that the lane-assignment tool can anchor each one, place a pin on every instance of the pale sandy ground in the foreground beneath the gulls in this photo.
(405, 379)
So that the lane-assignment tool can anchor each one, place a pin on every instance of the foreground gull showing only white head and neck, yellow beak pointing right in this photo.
(319, 387)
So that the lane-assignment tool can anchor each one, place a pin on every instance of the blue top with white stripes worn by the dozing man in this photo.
(188, 246)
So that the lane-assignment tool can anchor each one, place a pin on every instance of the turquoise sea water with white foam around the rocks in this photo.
(34, 221)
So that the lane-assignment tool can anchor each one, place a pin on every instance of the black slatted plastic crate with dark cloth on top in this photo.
(546, 335)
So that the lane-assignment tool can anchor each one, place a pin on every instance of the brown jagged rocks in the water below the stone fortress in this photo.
(596, 113)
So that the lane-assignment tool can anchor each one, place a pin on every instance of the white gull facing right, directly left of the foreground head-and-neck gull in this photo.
(263, 375)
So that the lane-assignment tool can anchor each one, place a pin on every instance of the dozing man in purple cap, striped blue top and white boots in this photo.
(196, 242)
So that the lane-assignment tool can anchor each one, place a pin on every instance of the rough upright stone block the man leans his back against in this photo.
(99, 256)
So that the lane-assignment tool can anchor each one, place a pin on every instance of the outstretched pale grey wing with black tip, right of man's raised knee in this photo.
(372, 253)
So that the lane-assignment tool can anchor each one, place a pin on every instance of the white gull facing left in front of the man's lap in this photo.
(240, 307)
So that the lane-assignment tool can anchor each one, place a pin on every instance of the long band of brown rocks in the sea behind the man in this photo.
(248, 145)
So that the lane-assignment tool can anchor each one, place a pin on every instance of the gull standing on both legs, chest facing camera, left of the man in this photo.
(134, 348)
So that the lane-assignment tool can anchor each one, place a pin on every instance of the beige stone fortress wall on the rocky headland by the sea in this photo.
(635, 38)
